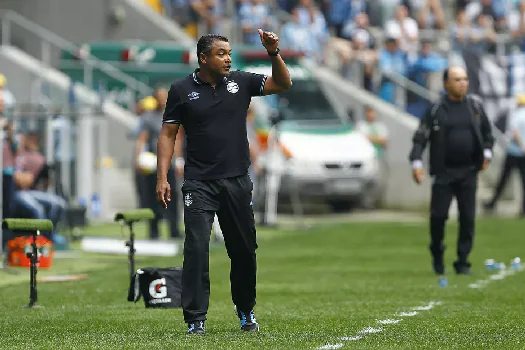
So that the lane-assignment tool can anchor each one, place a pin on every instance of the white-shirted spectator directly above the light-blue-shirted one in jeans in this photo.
(403, 28)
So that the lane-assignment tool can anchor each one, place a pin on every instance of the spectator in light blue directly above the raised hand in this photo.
(253, 15)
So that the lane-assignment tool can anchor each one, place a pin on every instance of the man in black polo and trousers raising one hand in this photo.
(212, 105)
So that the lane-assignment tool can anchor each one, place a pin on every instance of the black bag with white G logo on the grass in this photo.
(160, 287)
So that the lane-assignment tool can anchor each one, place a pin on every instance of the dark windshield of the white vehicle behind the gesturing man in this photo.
(305, 101)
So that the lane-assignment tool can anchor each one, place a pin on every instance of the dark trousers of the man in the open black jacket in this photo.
(444, 188)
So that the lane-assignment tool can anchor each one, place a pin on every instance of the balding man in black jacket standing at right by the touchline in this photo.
(460, 137)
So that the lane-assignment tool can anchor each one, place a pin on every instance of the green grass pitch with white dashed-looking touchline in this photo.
(314, 288)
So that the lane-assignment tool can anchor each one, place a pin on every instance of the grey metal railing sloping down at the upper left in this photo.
(50, 41)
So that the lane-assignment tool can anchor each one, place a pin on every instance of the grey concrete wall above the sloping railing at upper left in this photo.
(82, 21)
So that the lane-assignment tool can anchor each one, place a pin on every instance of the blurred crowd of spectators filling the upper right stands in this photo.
(375, 43)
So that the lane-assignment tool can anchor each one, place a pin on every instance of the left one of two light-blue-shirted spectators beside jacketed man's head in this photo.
(392, 60)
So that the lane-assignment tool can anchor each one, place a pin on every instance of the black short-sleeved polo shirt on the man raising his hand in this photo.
(214, 121)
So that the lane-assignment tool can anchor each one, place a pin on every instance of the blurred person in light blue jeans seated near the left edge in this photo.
(32, 181)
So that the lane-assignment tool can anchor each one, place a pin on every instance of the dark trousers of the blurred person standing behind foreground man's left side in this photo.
(150, 199)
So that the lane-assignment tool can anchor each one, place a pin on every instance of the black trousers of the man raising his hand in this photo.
(231, 199)
